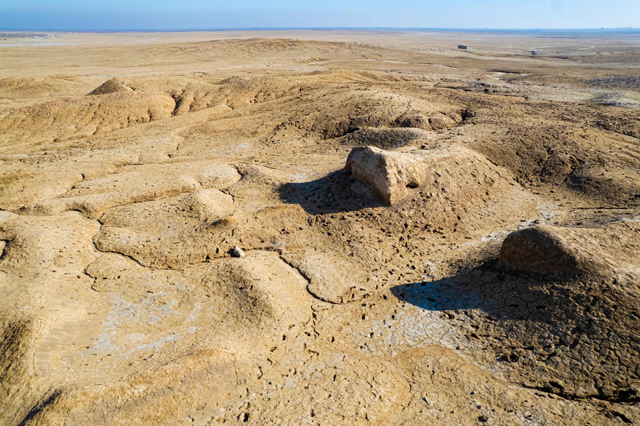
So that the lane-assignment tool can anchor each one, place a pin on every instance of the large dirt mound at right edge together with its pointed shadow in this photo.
(562, 304)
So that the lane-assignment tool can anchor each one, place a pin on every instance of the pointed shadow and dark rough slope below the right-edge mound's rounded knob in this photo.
(544, 328)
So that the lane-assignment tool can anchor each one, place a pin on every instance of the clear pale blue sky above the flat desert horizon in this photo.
(212, 14)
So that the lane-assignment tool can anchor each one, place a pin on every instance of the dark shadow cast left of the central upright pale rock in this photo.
(337, 192)
